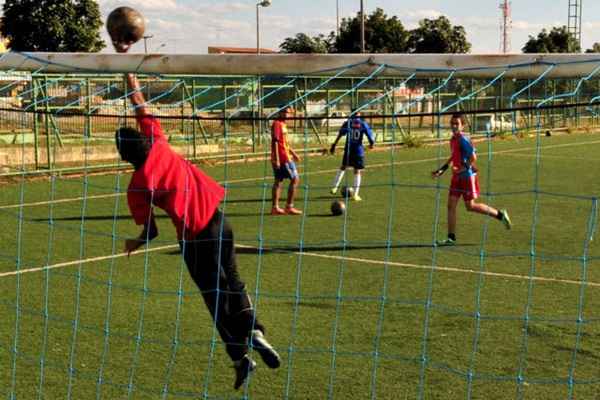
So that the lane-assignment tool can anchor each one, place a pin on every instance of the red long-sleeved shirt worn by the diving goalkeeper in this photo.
(168, 181)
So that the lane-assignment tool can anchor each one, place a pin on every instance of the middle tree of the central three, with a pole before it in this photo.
(382, 34)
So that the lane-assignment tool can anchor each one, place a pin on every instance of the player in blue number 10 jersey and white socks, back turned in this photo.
(354, 129)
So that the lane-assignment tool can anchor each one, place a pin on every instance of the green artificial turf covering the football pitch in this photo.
(359, 306)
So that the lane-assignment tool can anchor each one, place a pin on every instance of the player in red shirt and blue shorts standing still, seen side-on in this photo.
(282, 160)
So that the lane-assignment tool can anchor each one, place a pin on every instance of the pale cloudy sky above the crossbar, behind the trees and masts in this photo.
(190, 26)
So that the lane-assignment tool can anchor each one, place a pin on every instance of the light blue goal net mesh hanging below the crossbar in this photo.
(363, 305)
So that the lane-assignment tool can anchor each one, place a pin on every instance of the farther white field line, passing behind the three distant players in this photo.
(380, 165)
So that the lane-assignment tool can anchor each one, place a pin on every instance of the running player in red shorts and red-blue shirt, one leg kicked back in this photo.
(465, 182)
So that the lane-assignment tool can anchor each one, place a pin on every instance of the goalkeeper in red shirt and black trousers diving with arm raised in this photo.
(164, 179)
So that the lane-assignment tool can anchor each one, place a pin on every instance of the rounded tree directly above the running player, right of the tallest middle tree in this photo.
(439, 36)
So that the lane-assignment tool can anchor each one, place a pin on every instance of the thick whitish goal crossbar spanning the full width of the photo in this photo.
(515, 66)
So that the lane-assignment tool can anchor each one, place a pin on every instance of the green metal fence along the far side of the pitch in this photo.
(49, 113)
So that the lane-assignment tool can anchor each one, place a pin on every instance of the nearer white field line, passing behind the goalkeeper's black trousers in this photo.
(318, 255)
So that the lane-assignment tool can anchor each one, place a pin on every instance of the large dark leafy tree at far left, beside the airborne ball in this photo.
(52, 25)
